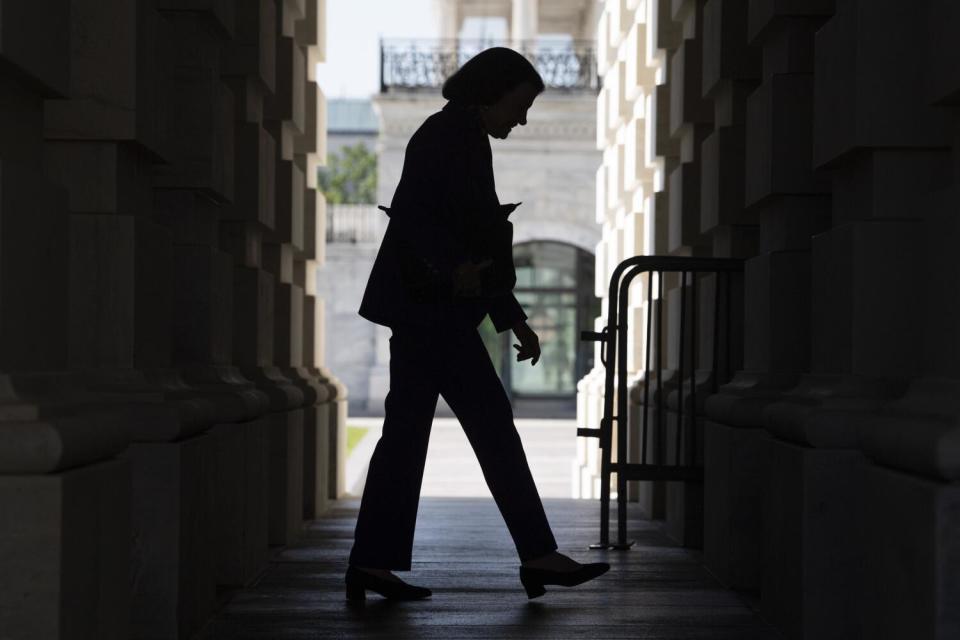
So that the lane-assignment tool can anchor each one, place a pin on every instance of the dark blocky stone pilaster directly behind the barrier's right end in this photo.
(731, 71)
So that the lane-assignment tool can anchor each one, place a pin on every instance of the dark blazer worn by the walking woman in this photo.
(444, 212)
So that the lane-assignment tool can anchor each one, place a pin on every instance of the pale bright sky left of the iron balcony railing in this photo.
(354, 29)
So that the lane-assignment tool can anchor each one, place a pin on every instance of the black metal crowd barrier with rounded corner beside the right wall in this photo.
(670, 438)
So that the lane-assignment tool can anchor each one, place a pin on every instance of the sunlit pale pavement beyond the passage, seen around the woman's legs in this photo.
(452, 468)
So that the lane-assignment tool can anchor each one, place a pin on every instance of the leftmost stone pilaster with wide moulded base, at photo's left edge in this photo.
(65, 535)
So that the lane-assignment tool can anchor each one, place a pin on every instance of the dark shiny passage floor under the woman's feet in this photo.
(462, 551)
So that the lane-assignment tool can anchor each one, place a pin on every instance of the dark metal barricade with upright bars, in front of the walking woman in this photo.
(613, 338)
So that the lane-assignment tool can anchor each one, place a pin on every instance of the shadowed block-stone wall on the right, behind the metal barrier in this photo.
(816, 141)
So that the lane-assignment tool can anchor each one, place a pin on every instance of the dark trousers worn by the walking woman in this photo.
(454, 363)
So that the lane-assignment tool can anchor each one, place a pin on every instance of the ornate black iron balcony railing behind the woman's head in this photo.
(411, 65)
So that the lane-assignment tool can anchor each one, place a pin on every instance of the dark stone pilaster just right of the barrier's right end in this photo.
(792, 204)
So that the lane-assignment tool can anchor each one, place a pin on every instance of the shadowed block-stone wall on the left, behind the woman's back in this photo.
(165, 414)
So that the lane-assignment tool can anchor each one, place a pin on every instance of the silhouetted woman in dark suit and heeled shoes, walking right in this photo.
(444, 264)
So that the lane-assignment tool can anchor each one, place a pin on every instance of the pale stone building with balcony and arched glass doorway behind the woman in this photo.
(548, 165)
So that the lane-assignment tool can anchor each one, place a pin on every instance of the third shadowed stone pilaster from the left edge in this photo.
(191, 187)
